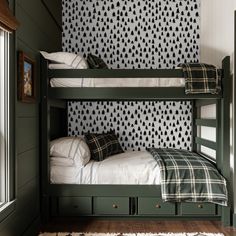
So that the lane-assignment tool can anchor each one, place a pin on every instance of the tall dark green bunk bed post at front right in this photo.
(225, 133)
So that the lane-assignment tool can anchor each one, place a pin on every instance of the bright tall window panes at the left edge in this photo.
(4, 120)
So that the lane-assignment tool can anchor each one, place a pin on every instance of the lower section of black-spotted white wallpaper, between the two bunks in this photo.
(138, 124)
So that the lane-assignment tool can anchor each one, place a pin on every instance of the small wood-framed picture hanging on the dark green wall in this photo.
(26, 78)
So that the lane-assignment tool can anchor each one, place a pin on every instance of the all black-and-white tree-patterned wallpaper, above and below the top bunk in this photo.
(134, 34)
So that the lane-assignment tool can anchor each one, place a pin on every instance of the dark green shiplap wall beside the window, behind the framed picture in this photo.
(38, 31)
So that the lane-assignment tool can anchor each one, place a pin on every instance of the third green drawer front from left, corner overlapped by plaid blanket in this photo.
(155, 206)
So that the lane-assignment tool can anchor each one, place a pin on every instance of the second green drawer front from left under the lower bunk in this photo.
(111, 205)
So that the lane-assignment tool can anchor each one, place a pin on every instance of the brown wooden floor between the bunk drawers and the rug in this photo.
(137, 226)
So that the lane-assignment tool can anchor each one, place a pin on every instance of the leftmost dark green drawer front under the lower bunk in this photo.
(75, 206)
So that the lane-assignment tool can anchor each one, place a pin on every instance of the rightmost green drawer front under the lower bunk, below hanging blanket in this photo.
(198, 209)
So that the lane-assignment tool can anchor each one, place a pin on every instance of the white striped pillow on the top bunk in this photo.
(75, 61)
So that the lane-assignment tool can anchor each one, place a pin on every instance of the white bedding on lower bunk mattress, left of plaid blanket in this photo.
(138, 167)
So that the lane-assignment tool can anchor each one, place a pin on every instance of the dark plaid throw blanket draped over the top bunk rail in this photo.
(201, 78)
